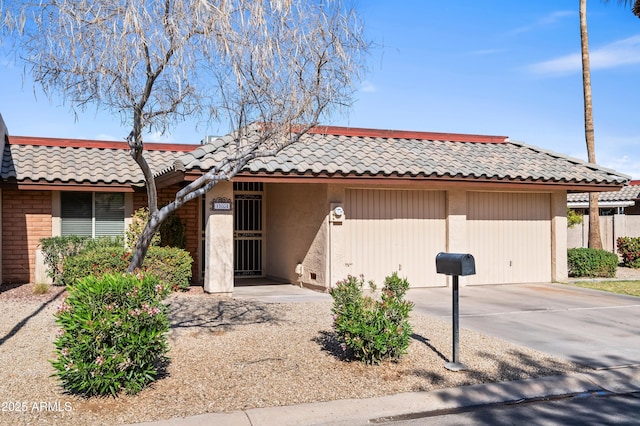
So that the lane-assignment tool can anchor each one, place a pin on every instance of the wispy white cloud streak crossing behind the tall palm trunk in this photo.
(619, 53)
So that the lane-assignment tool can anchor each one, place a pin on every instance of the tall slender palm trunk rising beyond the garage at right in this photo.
(595, 240)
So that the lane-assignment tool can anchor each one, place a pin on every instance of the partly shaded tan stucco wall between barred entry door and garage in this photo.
(296, 231)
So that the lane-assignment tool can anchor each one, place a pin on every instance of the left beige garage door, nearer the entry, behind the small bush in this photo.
(395, 230)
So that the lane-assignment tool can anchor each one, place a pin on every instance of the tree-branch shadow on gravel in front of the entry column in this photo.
(219, 315)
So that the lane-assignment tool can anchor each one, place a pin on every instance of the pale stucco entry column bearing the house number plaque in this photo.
(218, 272)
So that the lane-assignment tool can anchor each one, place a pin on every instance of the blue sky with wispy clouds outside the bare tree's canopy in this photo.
(498, 67)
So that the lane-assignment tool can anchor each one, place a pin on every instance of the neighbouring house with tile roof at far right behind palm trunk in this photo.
(619, 216)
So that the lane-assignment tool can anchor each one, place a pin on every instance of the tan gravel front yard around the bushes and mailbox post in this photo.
(228, 354)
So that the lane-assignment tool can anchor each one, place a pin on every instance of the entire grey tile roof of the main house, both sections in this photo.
(325, 151)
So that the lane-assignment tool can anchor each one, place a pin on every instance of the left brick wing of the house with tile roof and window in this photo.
(53, 187)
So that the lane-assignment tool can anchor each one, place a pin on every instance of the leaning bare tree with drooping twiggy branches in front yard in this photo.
(280, 63)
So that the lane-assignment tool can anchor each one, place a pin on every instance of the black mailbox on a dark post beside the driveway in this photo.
(455, 264)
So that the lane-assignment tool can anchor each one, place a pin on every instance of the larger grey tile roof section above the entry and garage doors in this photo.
(410, 154)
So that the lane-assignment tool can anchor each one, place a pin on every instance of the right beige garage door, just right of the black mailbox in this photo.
(509, 237)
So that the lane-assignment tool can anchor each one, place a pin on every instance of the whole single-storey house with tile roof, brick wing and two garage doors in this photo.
(341, 201)
